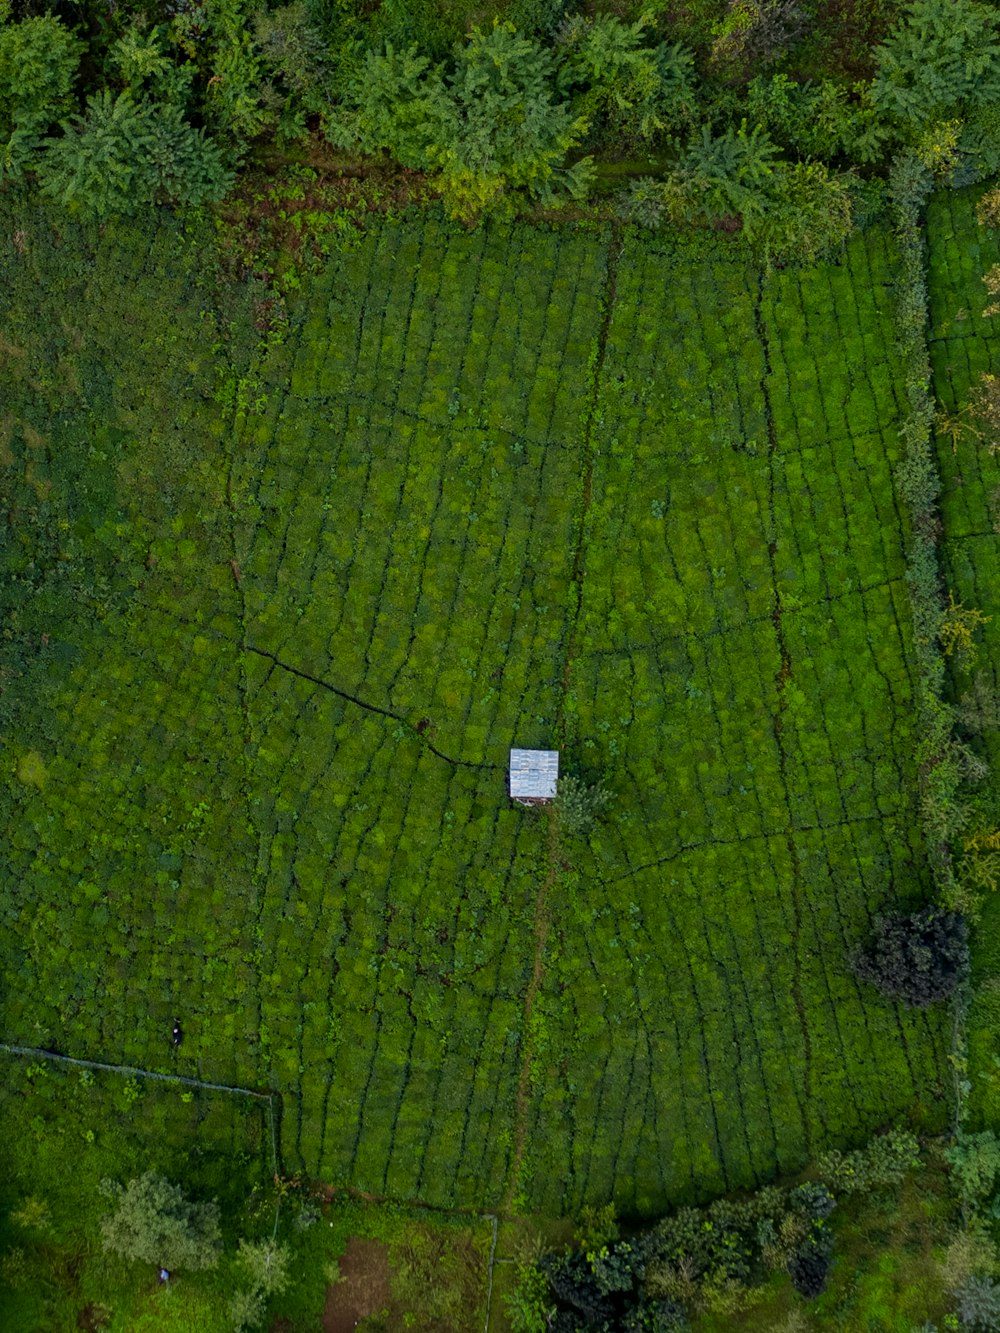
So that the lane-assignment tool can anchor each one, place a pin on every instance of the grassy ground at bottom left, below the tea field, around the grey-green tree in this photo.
(69, 1131)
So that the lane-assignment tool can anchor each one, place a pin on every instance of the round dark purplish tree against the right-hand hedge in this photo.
(917, 959)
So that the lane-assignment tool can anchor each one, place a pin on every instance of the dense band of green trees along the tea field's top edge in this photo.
(773, 118)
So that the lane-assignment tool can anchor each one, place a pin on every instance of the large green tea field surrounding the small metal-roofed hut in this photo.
(274, 617)
